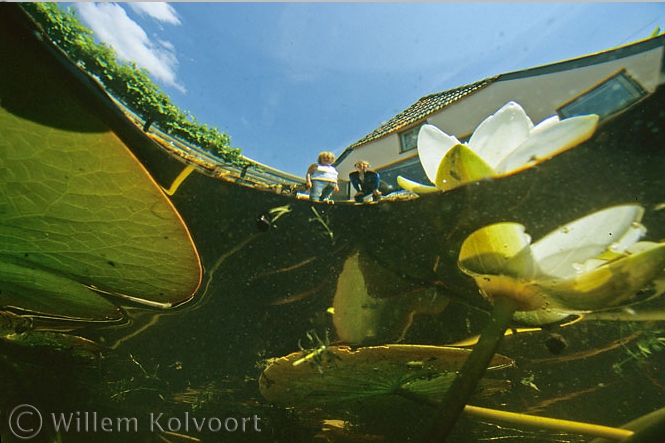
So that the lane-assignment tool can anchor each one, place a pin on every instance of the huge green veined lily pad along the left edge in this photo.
(81, 216)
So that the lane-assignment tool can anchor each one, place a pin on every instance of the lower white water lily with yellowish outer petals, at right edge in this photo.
(592, 263)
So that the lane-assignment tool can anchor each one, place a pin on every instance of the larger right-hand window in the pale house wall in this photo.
(610, 97)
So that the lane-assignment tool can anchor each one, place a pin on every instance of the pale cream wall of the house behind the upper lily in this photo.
(539, 91)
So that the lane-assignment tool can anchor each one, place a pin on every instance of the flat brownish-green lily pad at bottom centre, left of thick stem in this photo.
(344, 375)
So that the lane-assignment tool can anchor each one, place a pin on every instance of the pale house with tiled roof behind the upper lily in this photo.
(605, 83)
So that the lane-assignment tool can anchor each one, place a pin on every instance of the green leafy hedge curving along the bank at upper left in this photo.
(128, 83)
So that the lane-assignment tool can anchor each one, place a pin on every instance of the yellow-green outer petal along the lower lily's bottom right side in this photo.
(611, 284)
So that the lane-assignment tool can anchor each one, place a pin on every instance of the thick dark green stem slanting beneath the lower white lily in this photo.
(472, 371)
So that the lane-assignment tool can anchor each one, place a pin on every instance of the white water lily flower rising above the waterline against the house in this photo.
(504, 143)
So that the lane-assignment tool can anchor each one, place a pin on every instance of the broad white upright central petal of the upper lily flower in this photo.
(499, 134)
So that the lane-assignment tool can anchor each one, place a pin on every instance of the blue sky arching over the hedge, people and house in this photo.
(287, 80)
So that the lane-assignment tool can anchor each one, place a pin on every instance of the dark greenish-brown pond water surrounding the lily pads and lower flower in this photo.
(191, 373)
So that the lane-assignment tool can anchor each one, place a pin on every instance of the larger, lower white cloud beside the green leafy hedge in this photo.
(113, 26)
